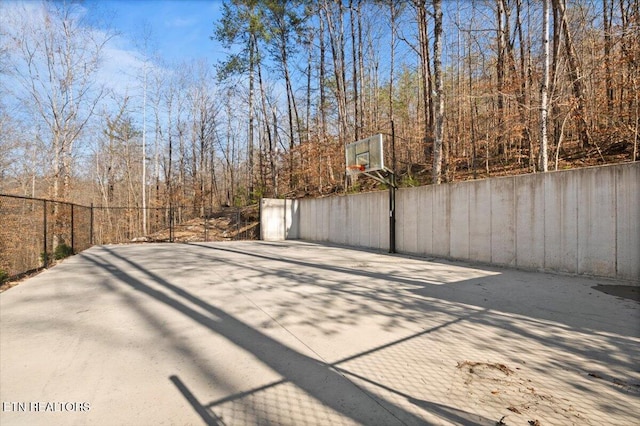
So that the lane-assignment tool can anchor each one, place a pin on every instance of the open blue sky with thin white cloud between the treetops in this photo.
(180, 31)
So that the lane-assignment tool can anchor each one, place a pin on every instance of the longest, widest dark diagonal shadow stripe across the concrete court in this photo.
(315, 378)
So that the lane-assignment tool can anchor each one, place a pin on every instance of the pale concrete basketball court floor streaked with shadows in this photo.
(297, 333)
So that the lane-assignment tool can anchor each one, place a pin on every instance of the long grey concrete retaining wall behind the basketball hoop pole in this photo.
(583, 221)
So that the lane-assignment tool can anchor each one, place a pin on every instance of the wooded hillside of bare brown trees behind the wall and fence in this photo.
(461, 89)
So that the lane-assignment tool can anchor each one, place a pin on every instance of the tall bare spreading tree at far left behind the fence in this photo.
(55, 61)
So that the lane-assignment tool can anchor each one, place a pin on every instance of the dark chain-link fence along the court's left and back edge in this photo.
(36, 232)
